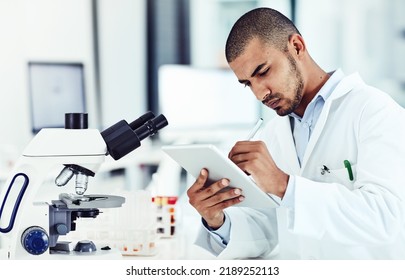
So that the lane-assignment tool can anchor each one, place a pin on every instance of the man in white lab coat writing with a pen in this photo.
(334, 155)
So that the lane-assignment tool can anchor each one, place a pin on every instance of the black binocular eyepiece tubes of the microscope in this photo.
(122, 138)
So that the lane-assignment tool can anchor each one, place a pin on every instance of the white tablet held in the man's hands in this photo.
(195, 157)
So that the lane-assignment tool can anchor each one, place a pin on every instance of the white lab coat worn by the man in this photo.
(332, 217)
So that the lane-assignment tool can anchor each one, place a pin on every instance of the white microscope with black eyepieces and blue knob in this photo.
(29, 226)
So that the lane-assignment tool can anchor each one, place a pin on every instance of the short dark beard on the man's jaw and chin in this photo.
(297, 87)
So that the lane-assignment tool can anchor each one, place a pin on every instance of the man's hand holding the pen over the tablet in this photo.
(254, 159)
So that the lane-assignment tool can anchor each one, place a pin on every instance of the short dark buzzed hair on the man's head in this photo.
(266, 24)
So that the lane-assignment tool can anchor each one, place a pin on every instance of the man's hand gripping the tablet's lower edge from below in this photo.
(211, 200)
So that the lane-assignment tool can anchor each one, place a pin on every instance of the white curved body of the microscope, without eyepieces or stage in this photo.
(46, 154)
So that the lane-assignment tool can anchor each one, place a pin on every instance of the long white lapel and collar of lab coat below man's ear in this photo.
(344, 87)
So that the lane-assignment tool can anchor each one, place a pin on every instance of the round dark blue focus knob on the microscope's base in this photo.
(35, 240)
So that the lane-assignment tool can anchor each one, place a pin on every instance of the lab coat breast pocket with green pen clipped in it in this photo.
(345, 176)
